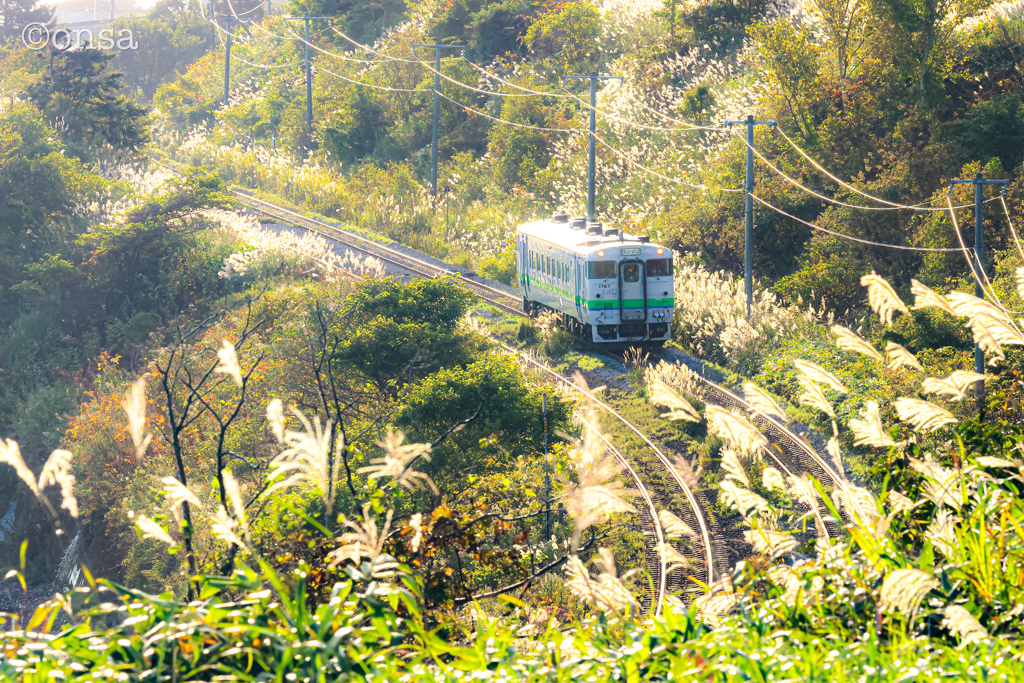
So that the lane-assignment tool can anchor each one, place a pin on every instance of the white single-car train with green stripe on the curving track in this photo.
(609, 287)
